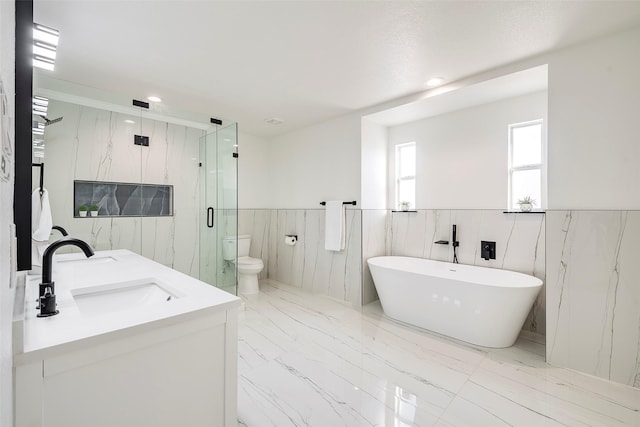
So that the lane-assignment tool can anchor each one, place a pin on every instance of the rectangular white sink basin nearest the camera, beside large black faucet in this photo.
(113, 297)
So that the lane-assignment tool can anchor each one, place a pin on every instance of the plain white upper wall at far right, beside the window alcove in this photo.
(594, 105)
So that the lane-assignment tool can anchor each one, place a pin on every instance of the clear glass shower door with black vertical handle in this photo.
(219, 206)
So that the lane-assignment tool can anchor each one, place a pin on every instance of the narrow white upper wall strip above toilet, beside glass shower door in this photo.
(253, 172)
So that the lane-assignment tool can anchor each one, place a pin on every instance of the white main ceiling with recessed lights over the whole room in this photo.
(304, 61)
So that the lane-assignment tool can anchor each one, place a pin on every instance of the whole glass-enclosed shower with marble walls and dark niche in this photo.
(163, 182)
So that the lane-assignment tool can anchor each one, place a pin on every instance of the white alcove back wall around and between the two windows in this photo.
(462, 157)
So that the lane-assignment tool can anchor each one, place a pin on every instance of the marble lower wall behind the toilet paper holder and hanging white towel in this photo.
(307, 264)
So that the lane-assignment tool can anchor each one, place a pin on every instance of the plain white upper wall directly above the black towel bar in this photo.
(320, 162)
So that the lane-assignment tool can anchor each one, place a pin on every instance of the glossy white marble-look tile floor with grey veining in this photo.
(307, 360)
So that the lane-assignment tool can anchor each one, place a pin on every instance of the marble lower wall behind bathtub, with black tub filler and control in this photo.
(520, 243)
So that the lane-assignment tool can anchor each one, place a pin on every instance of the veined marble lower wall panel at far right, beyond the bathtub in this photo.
(593, 293)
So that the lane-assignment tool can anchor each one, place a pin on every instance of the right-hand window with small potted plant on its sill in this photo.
(526, 163)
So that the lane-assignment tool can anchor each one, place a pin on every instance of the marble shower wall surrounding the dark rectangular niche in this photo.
(97, 145)
